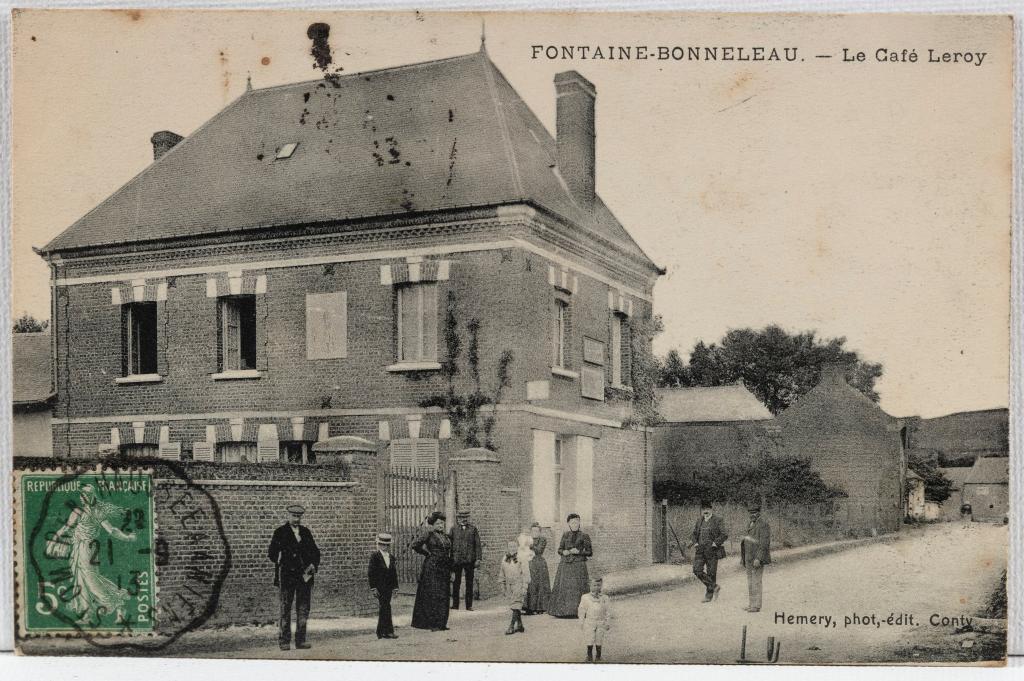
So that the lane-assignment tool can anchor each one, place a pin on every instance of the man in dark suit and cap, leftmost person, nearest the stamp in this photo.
(296, 561)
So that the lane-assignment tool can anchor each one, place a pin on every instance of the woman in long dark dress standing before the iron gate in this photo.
(435, 589)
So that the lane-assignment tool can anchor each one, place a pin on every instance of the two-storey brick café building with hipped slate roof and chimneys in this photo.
(286, 274)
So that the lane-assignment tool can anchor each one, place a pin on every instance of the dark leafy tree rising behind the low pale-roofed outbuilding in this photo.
(777, 366)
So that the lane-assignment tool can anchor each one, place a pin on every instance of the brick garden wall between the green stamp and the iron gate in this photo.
(342, 513)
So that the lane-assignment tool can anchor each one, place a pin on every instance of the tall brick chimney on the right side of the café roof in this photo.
(575, 135)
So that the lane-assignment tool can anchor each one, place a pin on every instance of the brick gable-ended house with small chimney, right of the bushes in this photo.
(855, 446)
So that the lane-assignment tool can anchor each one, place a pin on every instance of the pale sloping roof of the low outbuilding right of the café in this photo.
(703, 405)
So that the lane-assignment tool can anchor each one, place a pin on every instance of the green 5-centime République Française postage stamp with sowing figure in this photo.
(86, 552)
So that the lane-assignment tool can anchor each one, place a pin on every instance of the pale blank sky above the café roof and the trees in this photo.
(869, 200)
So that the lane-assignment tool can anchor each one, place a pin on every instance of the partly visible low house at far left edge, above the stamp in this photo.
(33, 395)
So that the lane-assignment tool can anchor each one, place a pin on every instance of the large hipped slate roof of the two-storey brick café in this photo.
(433, 137)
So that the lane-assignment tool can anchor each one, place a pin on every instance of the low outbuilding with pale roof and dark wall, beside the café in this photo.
(705, 427)
